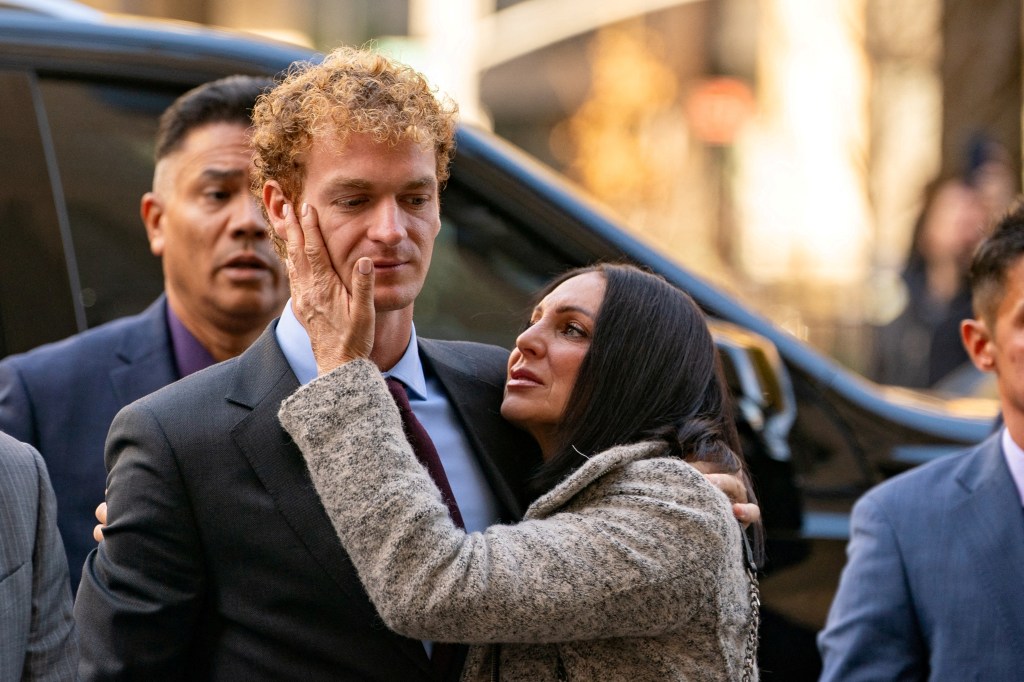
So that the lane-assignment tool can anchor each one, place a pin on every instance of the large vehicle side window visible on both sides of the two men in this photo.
(486, 265)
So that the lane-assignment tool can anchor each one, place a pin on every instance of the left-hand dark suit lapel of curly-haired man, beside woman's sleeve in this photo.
(263, 380)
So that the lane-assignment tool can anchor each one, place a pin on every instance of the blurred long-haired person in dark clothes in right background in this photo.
(922, 346)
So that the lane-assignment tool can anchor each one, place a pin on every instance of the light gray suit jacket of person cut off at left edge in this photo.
(37, 633)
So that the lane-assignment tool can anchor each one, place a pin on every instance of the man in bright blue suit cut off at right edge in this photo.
(932, 586)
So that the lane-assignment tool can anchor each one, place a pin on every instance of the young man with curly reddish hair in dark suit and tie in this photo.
(219, 561)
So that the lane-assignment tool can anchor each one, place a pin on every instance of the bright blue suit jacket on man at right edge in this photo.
(932, 586)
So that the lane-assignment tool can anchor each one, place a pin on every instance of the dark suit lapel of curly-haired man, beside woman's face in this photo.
(508, 455)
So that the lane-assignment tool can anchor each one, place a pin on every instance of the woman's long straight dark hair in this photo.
(652, 373)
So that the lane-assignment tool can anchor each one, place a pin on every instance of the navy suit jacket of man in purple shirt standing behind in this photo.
(62, 399)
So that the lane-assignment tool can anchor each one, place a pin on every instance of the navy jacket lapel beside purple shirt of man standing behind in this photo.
(146, 354)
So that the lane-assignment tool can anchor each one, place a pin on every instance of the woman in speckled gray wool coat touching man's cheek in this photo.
(629, 566)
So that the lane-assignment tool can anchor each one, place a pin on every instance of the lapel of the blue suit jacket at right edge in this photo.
(992, 509)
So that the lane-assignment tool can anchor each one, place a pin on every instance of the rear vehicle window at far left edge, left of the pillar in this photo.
(36, 304)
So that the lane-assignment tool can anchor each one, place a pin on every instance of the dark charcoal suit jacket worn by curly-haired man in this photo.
(220, 561)
